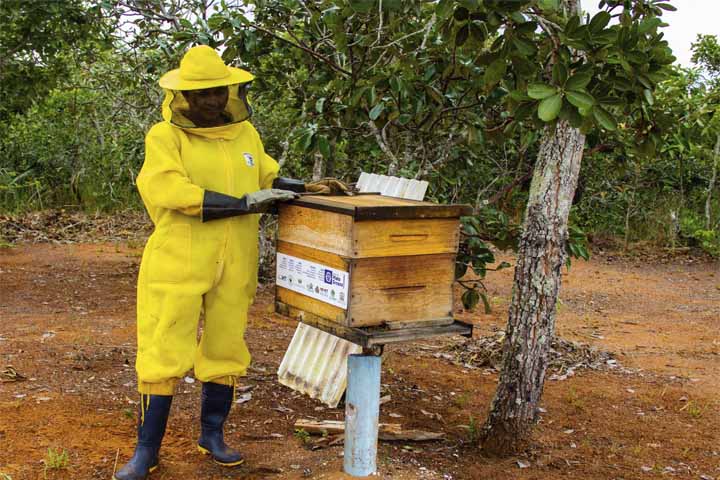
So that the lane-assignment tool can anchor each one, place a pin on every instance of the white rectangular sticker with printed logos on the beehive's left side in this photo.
(315, 280)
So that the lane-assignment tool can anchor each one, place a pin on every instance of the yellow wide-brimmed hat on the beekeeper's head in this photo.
(201, 67)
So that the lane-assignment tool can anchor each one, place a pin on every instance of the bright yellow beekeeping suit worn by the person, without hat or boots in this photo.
(189, 266)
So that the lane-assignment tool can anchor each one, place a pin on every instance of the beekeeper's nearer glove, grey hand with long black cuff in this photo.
(218, 205)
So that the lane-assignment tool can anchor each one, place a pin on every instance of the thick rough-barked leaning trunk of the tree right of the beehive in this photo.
(531, 322)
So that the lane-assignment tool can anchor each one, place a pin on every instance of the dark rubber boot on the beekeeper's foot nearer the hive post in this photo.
(216, 402)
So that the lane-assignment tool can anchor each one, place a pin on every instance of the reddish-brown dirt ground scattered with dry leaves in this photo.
(67, 323)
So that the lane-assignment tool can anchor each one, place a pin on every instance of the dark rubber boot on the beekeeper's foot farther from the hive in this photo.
(154, 411)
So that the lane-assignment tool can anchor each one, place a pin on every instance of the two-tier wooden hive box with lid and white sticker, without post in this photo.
(368, 260)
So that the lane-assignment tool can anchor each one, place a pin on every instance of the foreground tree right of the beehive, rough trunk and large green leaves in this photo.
(578, 74)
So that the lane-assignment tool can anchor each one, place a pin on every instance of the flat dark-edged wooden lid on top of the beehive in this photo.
(379, 207)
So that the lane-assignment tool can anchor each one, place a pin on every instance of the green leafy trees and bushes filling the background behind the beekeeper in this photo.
(454, 92)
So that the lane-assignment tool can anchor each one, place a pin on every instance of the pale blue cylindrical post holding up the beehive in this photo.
(362, 413)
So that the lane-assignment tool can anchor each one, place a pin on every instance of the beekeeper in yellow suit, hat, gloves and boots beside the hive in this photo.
(205, 180)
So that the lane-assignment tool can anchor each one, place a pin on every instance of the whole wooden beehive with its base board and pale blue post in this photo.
(372, 270)
